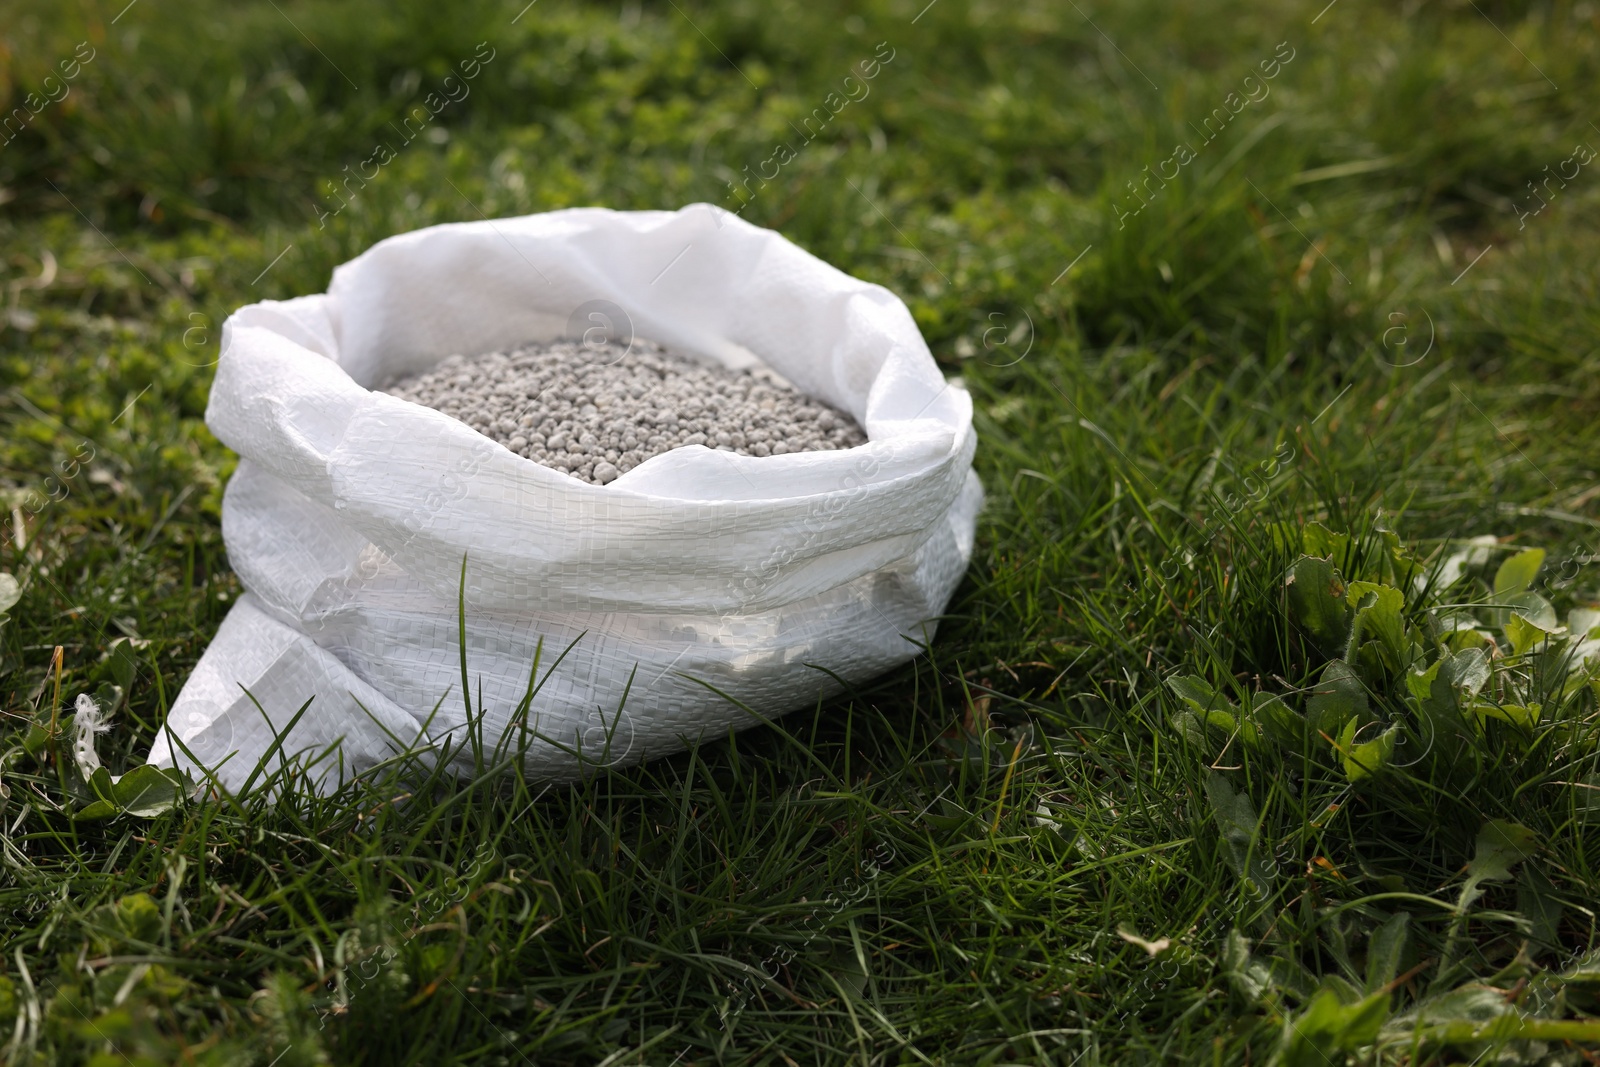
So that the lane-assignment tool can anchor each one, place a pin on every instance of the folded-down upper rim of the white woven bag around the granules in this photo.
(284, 399)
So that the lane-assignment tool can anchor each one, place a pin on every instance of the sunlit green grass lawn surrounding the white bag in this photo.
(937, 868)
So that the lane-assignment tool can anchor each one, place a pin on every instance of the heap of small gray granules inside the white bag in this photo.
(599, 410)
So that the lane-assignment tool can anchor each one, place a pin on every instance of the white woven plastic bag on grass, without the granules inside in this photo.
(367, 530)
